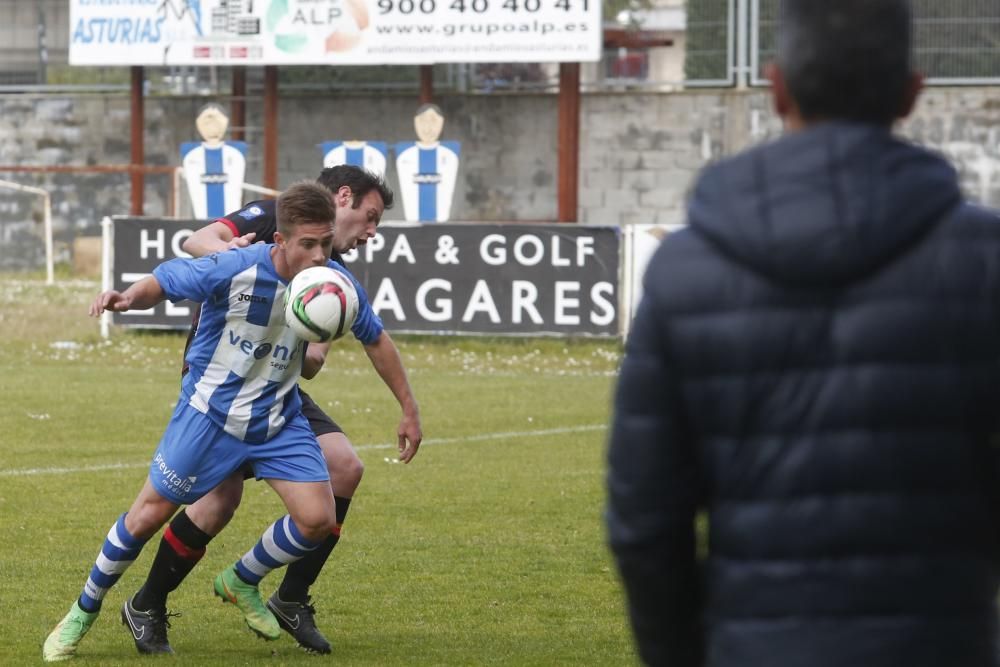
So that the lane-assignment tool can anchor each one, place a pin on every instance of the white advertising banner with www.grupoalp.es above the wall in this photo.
(332, 32)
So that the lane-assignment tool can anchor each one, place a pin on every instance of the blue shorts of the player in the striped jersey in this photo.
(195, 454)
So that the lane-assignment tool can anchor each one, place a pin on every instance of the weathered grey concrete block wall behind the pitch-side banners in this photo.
(639, 153)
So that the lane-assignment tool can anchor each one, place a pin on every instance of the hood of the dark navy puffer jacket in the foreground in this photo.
(824, 206)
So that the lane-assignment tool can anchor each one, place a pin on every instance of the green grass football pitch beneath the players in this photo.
(487, 549)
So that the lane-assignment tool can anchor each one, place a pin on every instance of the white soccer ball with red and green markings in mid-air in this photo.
(320, 304)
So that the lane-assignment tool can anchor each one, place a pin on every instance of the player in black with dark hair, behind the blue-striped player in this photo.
(360, 198)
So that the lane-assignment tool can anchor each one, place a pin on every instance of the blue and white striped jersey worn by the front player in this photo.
(244, 361)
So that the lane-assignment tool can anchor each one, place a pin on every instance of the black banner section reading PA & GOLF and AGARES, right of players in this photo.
(492, 278)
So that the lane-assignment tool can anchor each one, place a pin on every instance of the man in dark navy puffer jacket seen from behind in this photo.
(815, 367)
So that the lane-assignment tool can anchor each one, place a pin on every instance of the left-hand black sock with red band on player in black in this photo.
(181, 547)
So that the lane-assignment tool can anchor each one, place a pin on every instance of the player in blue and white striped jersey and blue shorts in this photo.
(238, 404)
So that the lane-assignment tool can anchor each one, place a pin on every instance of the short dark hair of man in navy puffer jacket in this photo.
(846, 59)
